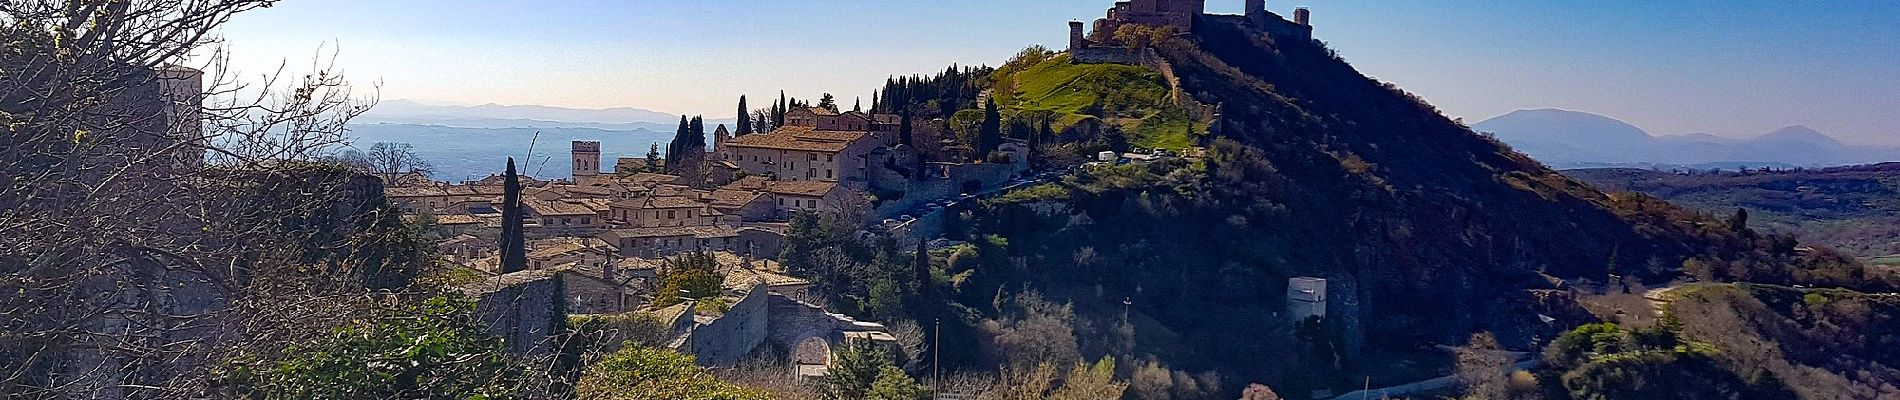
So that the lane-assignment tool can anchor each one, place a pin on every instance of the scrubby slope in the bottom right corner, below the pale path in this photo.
(1738, 340)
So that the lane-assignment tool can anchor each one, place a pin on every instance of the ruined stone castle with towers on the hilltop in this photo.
(1101, 45)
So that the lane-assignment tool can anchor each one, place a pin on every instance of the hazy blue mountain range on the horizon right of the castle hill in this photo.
(1570, 139)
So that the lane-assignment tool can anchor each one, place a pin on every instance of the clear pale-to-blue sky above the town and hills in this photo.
(1720, 67)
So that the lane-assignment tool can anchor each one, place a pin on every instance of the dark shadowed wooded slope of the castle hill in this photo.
(1426, 232)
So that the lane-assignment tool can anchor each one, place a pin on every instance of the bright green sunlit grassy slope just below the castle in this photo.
(1130, 98)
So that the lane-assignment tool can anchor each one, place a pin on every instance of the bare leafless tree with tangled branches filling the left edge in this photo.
(161, 219)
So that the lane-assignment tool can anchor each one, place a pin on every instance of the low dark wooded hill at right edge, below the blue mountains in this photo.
(1855, 209)
